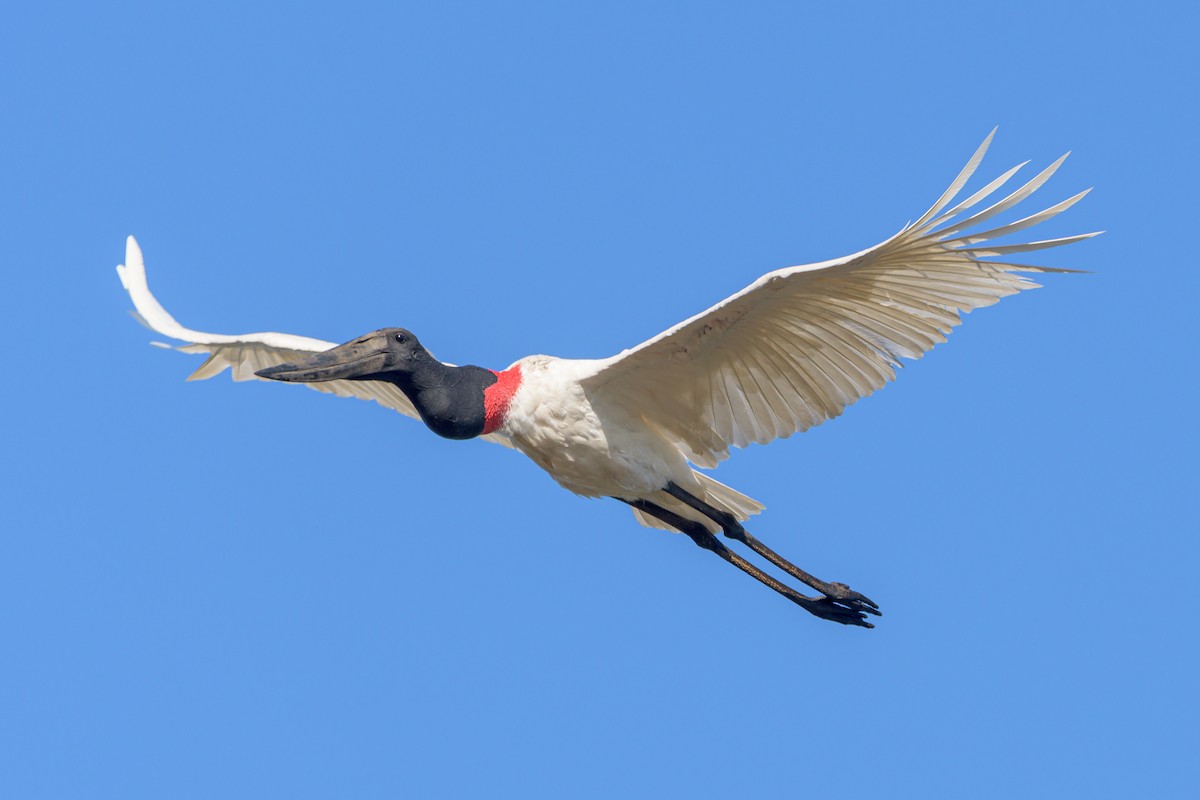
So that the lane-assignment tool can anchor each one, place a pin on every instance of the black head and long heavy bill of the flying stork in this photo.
(380, 356)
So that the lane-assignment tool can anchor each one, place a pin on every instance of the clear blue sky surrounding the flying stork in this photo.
(253, 591)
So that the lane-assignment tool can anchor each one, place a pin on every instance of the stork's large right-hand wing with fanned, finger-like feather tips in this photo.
(800, 345)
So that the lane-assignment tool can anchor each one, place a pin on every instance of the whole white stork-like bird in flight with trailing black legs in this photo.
(789, 352)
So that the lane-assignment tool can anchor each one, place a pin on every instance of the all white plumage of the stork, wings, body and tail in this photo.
(789, 352)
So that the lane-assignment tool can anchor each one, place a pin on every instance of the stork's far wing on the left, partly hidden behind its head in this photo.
(248, 353)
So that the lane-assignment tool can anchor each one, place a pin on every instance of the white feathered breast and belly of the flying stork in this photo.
(591, 450)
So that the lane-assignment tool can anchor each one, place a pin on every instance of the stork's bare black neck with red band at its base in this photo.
(459, 402)
